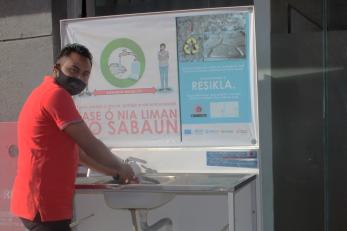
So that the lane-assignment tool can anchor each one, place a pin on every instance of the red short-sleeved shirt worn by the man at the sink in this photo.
(48, 157)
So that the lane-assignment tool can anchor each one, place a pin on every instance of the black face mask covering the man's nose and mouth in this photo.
(72, 84)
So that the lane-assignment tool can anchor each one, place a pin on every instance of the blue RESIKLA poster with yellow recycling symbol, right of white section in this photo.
(215, 77)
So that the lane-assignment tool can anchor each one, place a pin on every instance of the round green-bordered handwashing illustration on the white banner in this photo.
(122, 62)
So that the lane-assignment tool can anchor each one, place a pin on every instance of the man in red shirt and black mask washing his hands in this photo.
(52, 139)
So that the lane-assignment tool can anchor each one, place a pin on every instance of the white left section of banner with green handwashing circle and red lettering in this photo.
(132, 95)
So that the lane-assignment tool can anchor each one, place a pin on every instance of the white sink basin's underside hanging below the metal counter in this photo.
(136, 200)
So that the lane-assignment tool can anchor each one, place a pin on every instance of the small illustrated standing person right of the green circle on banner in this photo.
(163, 57)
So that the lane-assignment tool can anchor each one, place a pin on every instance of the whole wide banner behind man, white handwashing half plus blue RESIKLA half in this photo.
(182, 78)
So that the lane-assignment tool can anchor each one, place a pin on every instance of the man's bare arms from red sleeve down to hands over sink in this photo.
(98, 153)
